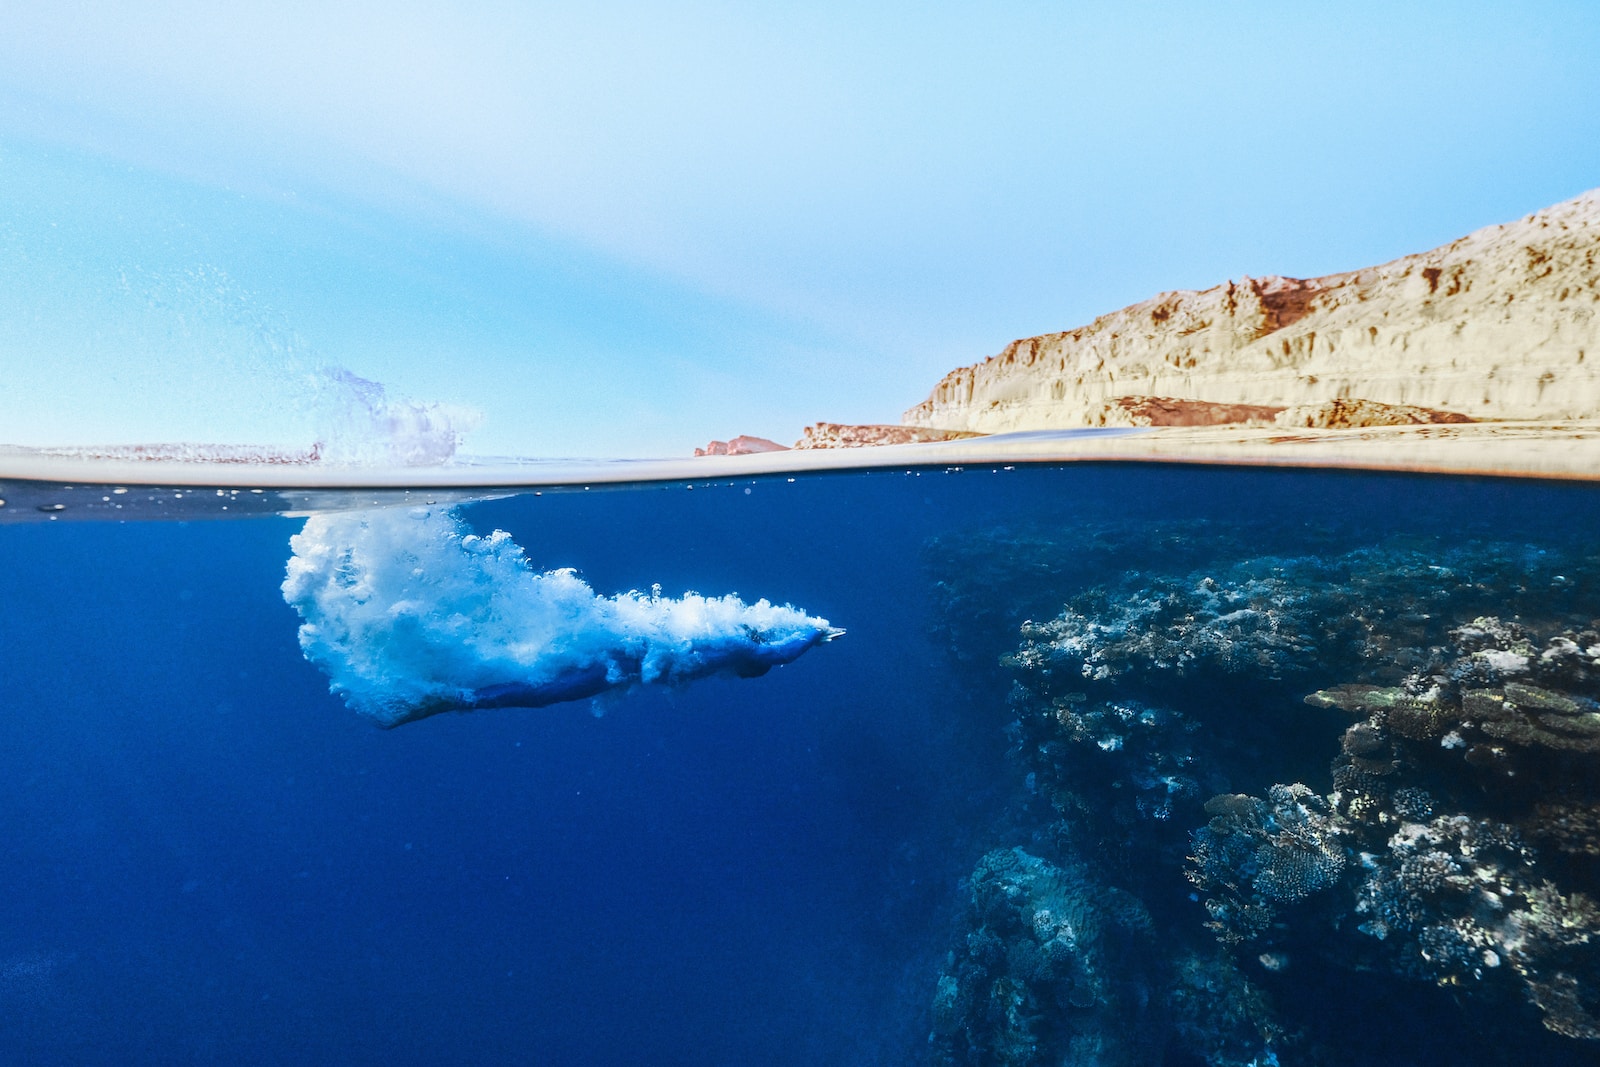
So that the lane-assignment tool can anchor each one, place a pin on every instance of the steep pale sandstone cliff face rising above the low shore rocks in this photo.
(1503, 324)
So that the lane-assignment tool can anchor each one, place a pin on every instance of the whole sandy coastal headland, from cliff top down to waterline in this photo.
(1479, 356)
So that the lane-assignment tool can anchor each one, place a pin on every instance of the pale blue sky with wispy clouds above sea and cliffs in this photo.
(633, 228)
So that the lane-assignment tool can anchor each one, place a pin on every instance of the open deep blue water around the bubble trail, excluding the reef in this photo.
(207, 858)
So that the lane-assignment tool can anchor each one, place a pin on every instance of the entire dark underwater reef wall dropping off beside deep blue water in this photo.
(1401, 746)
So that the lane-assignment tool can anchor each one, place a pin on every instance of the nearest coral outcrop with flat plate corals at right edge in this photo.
(1463, 897)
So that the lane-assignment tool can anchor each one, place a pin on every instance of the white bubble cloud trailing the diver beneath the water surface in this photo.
(410, 615)
